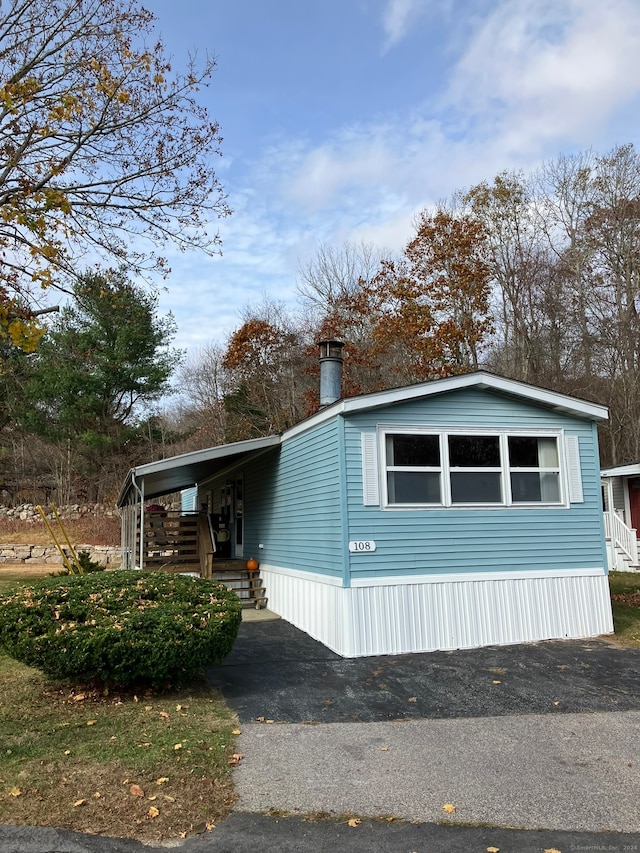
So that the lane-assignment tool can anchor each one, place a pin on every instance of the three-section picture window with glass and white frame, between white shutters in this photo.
(429, 468)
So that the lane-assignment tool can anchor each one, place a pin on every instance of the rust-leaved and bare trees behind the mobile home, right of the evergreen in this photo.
(536, 277)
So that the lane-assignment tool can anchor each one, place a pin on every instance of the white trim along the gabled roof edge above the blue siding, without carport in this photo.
(479, 379)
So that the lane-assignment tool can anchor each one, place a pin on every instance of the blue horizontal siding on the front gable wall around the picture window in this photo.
(500, 539)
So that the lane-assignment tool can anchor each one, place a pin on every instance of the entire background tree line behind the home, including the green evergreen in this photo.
(536, 277)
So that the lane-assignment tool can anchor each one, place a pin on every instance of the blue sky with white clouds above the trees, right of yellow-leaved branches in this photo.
(343, 118)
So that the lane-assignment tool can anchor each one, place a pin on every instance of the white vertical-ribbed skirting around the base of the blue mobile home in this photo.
(421, 614)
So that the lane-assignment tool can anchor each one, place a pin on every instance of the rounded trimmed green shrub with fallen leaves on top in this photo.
(123, 627)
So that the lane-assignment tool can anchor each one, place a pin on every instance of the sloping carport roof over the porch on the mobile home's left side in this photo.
(179, 472)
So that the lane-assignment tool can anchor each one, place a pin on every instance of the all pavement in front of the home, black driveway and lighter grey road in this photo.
(540, 741)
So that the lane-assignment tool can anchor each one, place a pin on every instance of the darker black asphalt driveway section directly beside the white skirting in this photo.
(279, 673)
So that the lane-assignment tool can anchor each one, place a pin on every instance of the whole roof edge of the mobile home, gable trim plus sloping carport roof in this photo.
(179, 472)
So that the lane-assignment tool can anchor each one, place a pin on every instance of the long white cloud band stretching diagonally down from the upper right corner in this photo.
(536, 76)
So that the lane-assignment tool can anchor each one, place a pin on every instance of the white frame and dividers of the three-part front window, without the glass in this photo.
(503, 434)
